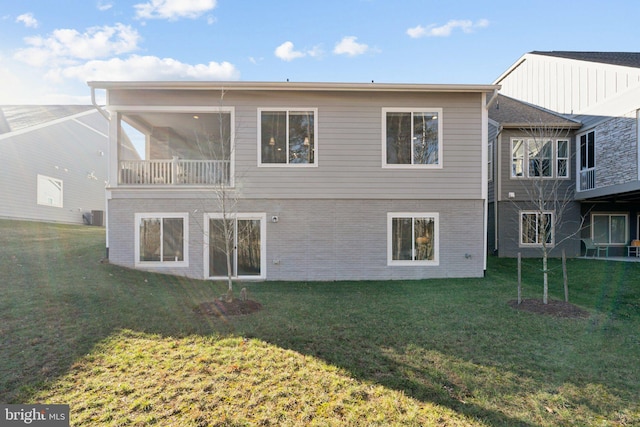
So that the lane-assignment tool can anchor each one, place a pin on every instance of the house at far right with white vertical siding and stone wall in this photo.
(601, 90)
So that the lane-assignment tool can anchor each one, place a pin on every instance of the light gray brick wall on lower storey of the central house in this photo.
(319, 239)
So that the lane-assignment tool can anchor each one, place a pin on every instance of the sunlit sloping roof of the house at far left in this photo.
(16, 117)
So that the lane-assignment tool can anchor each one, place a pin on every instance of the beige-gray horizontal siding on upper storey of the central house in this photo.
(349, 144)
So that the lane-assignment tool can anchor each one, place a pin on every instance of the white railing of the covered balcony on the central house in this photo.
(174, 172)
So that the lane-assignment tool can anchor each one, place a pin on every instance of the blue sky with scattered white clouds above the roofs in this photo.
(49, 49)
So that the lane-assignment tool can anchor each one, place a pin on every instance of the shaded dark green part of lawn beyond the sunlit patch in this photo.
(448, 342)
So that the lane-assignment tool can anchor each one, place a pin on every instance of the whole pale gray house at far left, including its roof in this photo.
(54, 163)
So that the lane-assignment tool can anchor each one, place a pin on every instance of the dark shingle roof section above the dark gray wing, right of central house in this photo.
(513, 113)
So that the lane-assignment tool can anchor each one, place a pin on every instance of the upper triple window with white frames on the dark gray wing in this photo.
(539, 158)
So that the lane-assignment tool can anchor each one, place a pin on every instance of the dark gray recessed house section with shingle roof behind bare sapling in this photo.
(531, 185)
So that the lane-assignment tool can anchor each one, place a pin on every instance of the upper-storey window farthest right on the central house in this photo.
(412, 137)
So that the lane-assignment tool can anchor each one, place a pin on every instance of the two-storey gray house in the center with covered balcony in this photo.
(321, 181)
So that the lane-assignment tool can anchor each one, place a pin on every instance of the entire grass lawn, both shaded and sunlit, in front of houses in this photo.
(124, 347)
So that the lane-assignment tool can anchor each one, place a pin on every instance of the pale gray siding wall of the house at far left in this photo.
(67, 151)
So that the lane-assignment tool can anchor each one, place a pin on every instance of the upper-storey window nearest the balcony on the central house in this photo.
(288, 137)
